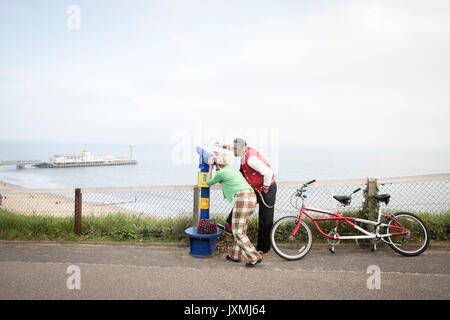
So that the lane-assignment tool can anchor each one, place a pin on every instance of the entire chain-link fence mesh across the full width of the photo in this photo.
(419, 194)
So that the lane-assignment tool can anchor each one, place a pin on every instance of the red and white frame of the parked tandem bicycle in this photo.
(349, 220)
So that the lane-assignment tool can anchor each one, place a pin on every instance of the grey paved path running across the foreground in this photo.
(39, 271)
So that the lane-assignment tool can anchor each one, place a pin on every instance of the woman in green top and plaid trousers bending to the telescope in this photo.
(235, 187)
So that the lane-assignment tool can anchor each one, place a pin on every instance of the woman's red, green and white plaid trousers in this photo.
(244, 207)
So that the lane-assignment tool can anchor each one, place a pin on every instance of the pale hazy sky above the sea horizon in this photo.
(352, 74)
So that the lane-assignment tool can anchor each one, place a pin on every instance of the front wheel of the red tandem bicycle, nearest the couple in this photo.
(282, 242)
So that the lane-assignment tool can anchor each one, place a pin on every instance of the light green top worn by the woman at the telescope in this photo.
(231, 180)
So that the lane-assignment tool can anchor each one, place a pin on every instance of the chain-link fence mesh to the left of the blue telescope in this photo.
(159, 202)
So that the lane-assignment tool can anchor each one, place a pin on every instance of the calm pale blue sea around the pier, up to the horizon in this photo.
(156, 164)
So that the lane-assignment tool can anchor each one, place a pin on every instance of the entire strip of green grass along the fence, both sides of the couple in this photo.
(124, 227)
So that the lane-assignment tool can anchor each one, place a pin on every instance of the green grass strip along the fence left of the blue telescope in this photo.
(118, 227)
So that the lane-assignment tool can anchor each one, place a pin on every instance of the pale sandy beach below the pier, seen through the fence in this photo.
(50, 204)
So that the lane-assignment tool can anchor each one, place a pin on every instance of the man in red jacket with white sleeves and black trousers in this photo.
(258, 173)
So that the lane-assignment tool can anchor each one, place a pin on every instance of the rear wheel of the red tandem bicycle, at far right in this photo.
(413, 243)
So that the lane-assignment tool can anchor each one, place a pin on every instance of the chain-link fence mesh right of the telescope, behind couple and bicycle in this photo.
(420, 194)
